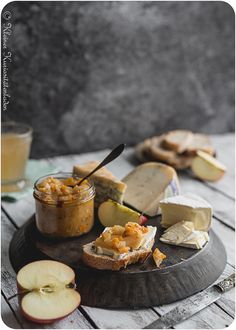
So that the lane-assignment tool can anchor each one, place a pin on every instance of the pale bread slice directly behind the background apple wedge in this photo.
(200, 142)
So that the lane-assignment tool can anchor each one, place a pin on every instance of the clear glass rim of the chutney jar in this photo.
(63, 175)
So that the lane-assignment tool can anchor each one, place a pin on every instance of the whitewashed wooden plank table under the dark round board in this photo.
(220, 195)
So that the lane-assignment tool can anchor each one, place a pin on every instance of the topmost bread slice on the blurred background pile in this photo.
(178, 140)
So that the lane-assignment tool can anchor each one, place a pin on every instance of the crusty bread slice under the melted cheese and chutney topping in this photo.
(98, 261)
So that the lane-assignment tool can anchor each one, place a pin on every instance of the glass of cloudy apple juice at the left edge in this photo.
(15, 148)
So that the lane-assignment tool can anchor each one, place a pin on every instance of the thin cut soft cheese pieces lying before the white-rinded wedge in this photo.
(183, 234)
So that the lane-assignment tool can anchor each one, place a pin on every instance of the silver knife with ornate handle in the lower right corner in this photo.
(193, 304)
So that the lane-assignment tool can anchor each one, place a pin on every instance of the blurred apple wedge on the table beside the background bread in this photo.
(206, 167)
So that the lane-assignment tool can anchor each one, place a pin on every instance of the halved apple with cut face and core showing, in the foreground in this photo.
(46, 291)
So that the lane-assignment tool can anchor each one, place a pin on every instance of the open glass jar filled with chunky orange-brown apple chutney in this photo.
(63, 208)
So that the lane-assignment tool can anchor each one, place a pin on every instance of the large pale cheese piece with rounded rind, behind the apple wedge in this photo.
(148, 184)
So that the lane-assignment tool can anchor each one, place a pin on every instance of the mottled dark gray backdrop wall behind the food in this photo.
(89, 75)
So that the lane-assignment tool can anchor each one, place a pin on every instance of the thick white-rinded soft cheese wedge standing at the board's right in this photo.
(187, 207)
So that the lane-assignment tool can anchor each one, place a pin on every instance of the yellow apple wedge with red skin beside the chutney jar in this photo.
(111, 213)
